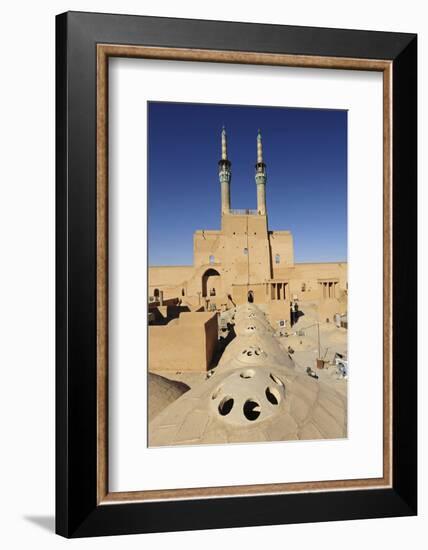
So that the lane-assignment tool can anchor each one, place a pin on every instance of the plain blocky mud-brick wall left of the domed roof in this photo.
(187, 344)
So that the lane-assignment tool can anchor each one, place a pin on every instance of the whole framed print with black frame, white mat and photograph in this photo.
(236, 244)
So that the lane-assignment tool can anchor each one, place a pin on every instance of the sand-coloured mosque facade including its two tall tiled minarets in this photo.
(244, 261)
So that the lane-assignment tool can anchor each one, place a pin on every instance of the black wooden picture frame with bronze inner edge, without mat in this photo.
(84, 505)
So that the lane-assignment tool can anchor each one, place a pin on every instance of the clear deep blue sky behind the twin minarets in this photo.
(305, 151)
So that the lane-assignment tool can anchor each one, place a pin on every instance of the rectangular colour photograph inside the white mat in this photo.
(247, 274)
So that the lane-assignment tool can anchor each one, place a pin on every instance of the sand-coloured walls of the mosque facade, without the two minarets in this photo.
(242, 257)
